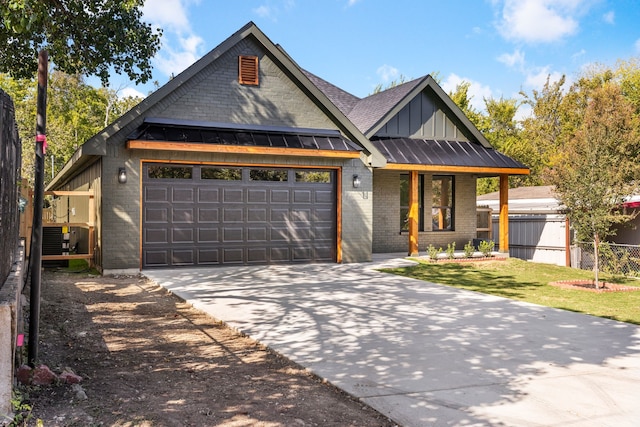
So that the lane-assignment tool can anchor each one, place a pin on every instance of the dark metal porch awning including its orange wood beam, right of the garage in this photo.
(444, 155)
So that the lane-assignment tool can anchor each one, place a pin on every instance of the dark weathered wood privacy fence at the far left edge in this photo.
(10, 163)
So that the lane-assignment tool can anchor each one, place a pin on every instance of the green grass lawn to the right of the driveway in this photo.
(528, 281)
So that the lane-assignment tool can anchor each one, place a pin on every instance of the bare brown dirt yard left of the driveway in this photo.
(149, 359)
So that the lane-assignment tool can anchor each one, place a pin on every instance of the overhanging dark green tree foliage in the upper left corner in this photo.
(85, 37)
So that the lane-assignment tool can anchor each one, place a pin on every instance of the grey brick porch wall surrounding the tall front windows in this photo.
(386, 215)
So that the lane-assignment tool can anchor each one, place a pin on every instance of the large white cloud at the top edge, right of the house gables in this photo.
(540, 21)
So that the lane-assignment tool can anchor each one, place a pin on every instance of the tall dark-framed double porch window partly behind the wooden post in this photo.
(442, 208)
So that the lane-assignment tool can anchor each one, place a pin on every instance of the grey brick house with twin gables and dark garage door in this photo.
(246, 158)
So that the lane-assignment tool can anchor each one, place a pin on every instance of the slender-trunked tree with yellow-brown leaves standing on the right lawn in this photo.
(598, 166)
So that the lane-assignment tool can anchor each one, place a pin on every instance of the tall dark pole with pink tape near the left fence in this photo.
(38, 200)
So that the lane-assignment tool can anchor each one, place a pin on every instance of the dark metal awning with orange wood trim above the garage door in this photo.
(203, 135)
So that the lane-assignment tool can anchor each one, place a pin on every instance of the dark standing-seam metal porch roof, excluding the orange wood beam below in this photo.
(442, 153)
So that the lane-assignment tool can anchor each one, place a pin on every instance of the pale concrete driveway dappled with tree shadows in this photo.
(426, 354)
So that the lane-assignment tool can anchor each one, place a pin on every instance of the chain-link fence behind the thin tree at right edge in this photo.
(614, 258)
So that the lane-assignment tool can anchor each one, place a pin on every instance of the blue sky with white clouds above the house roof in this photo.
(501, 47)
